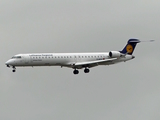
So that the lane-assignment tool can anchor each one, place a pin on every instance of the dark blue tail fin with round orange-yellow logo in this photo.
(129, 48)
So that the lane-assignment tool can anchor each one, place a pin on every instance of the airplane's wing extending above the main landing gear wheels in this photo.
(90, 64)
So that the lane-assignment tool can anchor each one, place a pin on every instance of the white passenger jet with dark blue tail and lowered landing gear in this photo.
(74, 60)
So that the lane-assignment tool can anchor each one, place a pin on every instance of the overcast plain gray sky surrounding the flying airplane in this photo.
(124, 91)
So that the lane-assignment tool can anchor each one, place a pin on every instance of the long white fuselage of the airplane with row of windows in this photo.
(62, 59)
